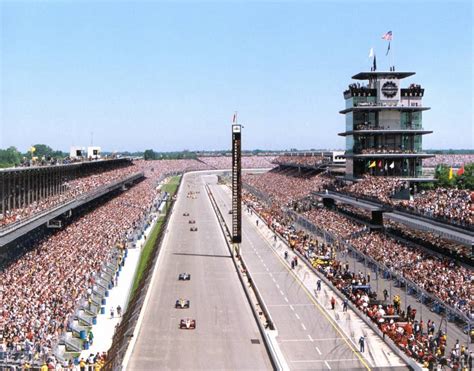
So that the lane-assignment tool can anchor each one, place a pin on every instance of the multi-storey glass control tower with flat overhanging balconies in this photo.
(384, 126)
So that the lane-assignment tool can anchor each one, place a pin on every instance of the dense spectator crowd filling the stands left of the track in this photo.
(40, 290)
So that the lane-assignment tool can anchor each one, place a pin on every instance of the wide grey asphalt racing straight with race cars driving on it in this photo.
(225, 325)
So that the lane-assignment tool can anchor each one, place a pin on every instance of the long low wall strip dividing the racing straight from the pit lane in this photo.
(227, 236)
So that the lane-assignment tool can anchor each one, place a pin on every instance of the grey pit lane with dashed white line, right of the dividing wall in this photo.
(307, 338)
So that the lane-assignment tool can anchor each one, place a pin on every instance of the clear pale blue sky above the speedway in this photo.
(169, 76)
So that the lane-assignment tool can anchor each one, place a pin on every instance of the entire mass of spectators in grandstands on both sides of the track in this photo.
(46, 277)
